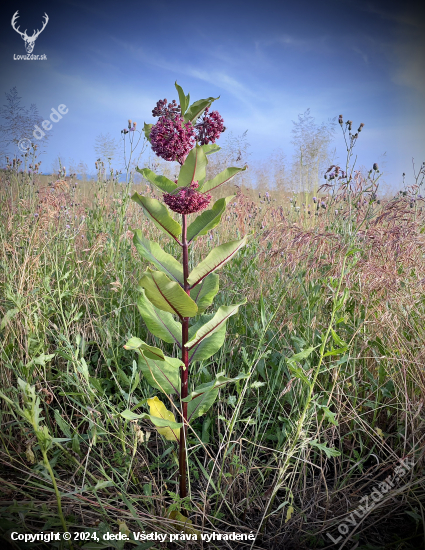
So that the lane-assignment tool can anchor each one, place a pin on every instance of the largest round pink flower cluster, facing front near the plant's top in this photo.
(171, 139)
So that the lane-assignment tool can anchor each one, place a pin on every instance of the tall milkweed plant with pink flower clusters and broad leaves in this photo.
(173, 296)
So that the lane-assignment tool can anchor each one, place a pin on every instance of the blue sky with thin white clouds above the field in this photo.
(268, 61)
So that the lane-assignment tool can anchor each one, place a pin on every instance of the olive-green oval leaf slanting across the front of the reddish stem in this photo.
(167, 295)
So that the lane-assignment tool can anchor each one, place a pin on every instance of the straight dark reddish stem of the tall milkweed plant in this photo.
(185, 369)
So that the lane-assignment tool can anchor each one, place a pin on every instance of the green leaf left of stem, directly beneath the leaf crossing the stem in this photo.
(159, 323)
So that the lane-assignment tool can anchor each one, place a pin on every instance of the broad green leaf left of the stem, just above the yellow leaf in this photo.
(164, 374)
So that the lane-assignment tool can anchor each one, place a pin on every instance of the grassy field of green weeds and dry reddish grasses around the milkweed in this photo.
(290, 453)
